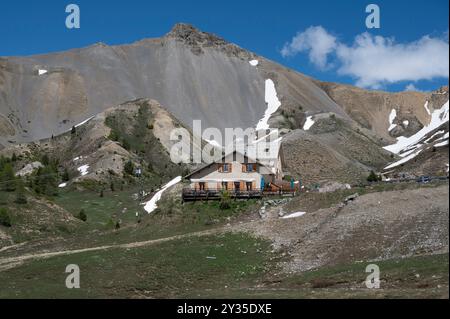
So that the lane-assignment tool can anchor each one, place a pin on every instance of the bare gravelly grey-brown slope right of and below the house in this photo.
(375, 226)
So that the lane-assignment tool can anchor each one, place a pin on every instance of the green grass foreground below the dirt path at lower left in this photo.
(166, 270)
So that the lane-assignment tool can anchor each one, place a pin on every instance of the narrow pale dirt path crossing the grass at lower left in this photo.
(12, 262)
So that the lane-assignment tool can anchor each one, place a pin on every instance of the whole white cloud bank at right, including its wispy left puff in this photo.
(375, 60)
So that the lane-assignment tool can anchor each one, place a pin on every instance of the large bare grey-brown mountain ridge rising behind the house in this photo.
(199, 76)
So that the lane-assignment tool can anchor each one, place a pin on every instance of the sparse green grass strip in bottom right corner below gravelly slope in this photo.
(414, 277)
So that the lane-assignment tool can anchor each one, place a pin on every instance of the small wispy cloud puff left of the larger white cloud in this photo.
(315, 40)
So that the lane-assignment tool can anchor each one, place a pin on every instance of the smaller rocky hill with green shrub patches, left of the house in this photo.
(99, 149)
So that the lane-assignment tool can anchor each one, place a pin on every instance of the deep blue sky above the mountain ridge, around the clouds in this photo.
(264, 27)
